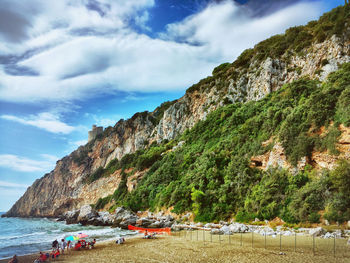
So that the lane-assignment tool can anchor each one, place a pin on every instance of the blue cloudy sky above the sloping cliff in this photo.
(66, 65)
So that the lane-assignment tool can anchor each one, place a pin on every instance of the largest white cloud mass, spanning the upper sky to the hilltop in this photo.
(82, 66)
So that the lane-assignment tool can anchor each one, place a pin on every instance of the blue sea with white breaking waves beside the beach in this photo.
(22, 236)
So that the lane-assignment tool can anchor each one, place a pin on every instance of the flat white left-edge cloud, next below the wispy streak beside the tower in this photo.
(22, 164)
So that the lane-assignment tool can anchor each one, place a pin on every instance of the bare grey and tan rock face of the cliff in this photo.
(64, 189)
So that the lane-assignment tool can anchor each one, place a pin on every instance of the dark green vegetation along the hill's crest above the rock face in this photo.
(294, 41)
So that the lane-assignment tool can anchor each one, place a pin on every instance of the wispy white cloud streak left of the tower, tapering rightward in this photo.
(46, 121)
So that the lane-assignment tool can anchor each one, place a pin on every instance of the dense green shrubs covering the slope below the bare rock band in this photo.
(211, 173)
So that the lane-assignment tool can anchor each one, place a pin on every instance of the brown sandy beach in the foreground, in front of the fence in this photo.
(179, 249)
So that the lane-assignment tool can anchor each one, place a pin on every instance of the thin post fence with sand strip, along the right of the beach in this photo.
(336, 247)
